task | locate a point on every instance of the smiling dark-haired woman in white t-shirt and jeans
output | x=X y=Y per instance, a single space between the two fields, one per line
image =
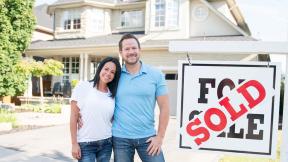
x=95 y=102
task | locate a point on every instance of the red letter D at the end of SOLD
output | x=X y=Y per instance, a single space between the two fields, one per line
x=258 y=86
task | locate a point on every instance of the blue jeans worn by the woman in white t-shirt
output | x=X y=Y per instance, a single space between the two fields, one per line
x=96 y=151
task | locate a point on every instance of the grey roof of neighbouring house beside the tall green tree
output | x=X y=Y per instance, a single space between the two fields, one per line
x=42 y=18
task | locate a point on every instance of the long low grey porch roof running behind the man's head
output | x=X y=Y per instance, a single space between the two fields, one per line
x=112 y=40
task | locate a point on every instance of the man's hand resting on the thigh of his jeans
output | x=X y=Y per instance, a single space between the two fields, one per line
x=154 y=147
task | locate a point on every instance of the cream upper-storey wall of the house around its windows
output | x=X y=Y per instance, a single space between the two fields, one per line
x=187 y=27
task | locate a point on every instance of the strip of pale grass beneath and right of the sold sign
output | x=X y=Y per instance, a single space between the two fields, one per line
x=254 y=159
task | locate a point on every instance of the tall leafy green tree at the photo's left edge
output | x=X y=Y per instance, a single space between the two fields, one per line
x=16 y=26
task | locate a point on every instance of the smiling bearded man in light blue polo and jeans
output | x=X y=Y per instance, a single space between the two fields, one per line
x=139 y=88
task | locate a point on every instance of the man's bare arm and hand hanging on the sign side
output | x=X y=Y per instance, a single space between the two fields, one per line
x=156 y=142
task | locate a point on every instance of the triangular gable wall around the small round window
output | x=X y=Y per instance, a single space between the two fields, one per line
x=213 y=25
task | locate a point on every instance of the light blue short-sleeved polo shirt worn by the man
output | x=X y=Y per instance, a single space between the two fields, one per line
x=135 y=102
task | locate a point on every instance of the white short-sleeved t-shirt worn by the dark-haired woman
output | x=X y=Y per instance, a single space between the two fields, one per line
x=96 y=109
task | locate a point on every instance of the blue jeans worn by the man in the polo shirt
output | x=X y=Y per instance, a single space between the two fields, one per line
x=124 y=150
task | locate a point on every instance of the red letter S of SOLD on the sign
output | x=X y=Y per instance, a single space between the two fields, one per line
x=198 y=131
